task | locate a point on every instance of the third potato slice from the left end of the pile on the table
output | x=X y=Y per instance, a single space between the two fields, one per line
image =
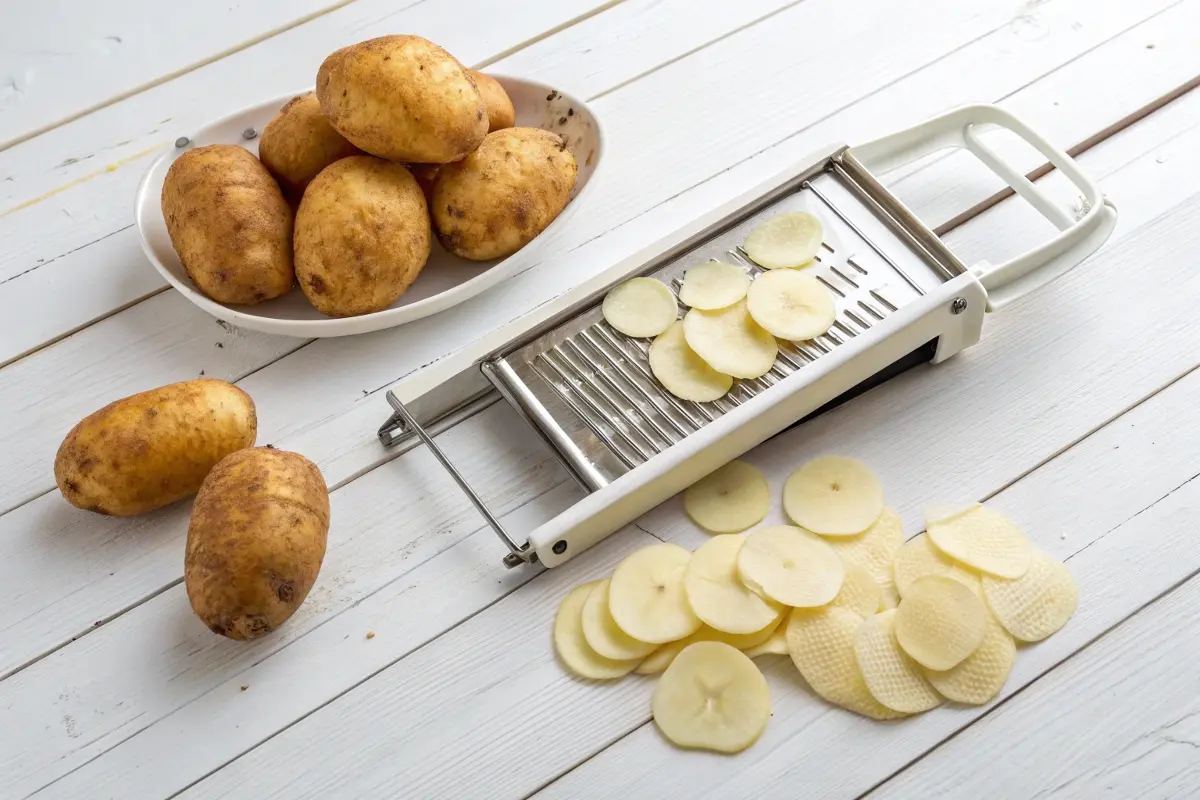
x=647 y=597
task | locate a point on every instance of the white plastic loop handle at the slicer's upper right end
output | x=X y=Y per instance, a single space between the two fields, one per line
x=1077 y=239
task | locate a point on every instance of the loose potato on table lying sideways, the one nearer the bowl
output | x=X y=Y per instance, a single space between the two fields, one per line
x=146 y=452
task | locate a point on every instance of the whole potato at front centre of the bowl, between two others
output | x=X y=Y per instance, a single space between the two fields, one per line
x=363 y=237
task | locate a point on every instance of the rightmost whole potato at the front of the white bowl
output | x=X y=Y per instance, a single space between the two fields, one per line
x=499 y=199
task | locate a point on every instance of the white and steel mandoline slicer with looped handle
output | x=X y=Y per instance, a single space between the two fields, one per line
x=903 y=298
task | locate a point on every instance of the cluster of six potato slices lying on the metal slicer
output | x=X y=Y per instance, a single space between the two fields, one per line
x=734 y=322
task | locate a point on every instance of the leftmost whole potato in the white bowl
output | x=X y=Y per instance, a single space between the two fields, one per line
x=230 y=225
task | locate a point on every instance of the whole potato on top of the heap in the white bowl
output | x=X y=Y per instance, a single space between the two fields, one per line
x=405 y=99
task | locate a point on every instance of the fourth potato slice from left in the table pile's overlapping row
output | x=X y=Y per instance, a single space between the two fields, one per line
x=719 y=597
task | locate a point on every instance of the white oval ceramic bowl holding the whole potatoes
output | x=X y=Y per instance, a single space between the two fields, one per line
x=445 y=282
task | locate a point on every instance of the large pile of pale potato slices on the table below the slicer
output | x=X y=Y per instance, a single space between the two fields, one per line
x=878 y=625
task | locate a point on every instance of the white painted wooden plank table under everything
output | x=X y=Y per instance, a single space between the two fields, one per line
x=1078 y=414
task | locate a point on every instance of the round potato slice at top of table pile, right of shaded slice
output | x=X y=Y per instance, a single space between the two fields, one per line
x=833 y=496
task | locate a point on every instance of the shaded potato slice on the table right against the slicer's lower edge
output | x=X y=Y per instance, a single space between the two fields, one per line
x=729 y=501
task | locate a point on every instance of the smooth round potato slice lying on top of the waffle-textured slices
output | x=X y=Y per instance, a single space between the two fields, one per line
x=940 y=622
